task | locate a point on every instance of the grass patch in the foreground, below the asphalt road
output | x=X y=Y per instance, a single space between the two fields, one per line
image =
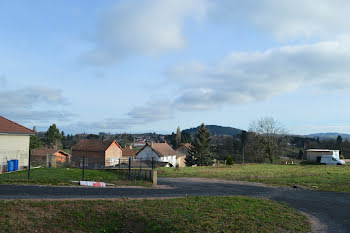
x=189 y=214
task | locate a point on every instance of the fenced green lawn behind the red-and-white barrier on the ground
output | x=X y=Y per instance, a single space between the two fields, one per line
x=64 y=176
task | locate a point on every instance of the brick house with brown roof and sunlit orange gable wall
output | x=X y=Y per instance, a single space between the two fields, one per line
x=96 y=153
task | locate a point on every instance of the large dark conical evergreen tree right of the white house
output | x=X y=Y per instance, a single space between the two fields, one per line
x=201 y=152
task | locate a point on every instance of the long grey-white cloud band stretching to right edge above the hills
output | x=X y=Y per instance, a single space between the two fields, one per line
x=250 y=77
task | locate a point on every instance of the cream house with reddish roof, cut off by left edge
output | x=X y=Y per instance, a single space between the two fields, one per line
x=14 y=143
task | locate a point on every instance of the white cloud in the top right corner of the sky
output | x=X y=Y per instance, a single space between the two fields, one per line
x=285 y=19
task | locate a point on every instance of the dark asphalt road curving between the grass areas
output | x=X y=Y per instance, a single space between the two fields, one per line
x=330 y=208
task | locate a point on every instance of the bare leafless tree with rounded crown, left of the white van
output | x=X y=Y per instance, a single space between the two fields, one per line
x=270 y=134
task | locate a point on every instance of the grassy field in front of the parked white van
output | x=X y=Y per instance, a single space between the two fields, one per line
x=320 y=177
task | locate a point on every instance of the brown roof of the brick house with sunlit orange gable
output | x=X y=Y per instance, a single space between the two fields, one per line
x=94 y=145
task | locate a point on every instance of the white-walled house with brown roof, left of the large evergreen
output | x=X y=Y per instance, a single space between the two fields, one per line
x=160 y=152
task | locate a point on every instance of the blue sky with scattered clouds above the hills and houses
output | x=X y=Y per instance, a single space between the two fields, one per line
x=138 y=66
